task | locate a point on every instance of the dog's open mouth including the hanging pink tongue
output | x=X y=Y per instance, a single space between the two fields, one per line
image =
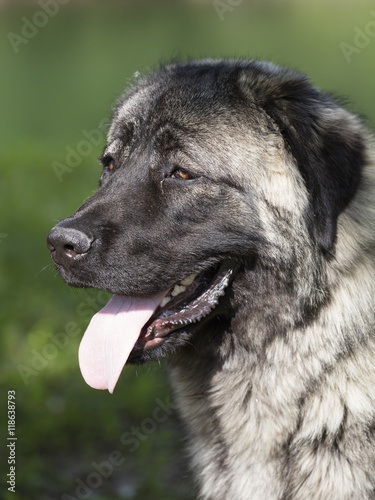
x=129 y=325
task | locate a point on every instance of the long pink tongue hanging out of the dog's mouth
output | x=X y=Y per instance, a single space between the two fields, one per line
x=111 y=336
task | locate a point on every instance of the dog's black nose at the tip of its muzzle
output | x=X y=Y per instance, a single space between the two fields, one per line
x=66 y=244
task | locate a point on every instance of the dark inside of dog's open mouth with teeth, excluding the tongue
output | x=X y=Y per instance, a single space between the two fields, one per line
x=188 y=302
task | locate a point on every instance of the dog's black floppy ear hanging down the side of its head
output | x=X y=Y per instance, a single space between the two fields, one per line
x=325 y=140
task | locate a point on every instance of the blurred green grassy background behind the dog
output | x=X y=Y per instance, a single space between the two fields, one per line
x=61 y=72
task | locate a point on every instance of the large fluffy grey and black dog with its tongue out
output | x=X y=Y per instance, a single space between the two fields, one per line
x=235 y=225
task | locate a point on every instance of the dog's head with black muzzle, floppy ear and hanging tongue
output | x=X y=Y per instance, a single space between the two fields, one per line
x=213 y=171
